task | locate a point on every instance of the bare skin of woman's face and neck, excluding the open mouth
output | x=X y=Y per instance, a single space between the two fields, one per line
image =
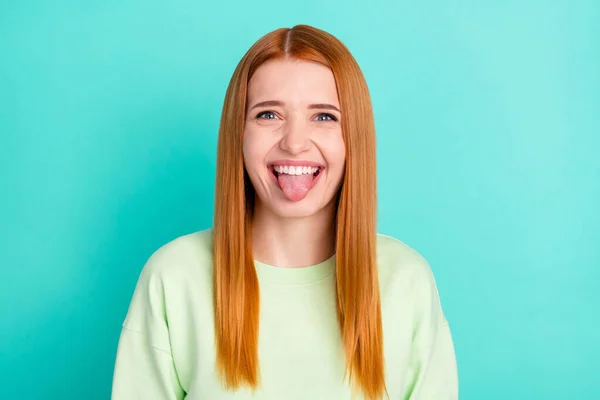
x=301 y=122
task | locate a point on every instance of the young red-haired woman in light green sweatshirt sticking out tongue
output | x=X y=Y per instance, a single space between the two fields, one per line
x=292 y=294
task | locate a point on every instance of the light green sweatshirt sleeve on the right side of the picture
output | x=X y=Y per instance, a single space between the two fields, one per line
x=432 y=370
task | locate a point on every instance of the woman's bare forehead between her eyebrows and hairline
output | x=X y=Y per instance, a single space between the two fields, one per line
x=293 y=81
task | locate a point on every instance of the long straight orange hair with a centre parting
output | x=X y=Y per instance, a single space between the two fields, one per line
x=236 y=289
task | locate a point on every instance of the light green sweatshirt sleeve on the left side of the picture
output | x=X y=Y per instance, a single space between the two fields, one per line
x=144 y=367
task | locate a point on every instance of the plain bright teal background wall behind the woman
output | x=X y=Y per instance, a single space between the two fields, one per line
x=488 y=121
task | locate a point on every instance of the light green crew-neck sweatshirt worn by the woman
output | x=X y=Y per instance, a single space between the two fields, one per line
x=166 y=349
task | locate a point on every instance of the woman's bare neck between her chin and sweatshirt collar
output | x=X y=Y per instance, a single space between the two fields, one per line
x=293 y=242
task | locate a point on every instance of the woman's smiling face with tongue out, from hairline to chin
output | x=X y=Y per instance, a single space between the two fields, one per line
x=293 y=146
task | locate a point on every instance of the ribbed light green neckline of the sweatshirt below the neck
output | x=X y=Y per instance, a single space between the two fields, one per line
x=298 y=275
